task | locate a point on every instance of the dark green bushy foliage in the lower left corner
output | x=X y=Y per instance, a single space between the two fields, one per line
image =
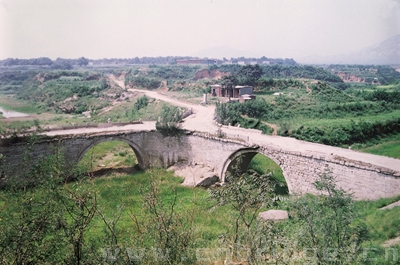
x=44 y=220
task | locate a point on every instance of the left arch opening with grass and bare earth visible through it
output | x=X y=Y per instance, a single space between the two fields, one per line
x=110 y=157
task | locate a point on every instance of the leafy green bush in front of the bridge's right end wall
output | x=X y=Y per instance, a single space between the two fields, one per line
x=327 y=224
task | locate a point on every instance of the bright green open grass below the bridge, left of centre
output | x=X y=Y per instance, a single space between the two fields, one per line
x=114 y=192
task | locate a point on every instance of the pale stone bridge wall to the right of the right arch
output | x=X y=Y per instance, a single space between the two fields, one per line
x=363 y=181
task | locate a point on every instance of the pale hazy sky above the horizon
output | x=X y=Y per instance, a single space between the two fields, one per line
x=128 y=28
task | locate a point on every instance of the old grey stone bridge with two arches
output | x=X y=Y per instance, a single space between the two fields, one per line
x=300 y=169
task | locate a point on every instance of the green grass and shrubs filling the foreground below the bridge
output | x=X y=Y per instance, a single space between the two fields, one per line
x=63 y=223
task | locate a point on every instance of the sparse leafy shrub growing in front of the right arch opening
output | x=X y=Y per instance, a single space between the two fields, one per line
x=245 y=194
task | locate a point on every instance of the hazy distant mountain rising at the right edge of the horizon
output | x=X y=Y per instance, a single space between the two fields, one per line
x=384 y=53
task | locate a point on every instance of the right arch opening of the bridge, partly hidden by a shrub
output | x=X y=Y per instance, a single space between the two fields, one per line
x=244 y=160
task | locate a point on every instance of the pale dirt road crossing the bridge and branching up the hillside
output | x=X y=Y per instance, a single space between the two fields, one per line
x=203 y=120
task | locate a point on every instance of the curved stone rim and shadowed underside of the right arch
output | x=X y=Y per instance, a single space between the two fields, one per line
x=244 y=156
